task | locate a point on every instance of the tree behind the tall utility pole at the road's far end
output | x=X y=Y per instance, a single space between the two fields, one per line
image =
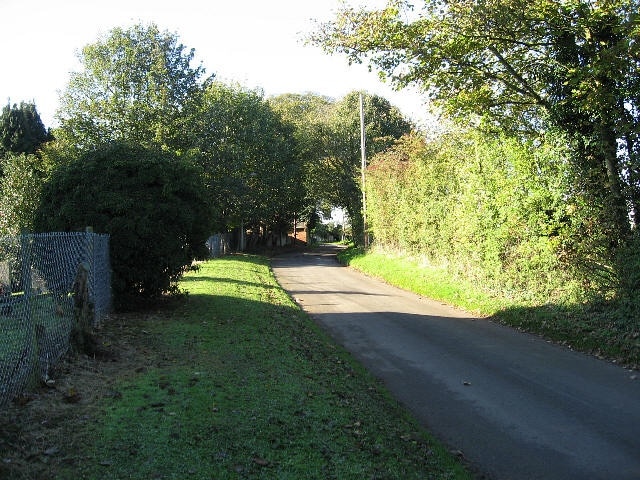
x=328 y=134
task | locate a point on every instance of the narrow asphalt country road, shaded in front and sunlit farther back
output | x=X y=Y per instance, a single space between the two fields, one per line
x=516 y=406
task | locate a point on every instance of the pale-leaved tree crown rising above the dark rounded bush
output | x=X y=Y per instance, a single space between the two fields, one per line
x=135 y=86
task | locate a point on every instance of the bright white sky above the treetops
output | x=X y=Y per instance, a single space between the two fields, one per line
x=257 y=43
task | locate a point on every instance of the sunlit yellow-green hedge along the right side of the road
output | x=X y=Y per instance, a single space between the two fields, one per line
x=497 y=211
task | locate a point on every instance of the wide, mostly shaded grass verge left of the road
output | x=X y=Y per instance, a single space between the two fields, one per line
x=240 y=383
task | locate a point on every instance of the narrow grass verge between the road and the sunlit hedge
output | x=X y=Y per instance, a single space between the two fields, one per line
x=607 y=329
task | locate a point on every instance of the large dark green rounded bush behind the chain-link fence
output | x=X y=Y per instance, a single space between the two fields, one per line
x=153 y=204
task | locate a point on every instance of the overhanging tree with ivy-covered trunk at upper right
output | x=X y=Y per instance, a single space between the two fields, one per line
x=524 y=65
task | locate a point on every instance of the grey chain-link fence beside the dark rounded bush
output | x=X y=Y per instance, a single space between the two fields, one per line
x=42 y=277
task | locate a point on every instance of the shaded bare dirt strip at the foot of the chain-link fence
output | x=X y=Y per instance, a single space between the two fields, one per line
x=47 y=427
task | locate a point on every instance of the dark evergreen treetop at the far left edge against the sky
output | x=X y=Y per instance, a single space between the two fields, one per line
x=21 y=129
